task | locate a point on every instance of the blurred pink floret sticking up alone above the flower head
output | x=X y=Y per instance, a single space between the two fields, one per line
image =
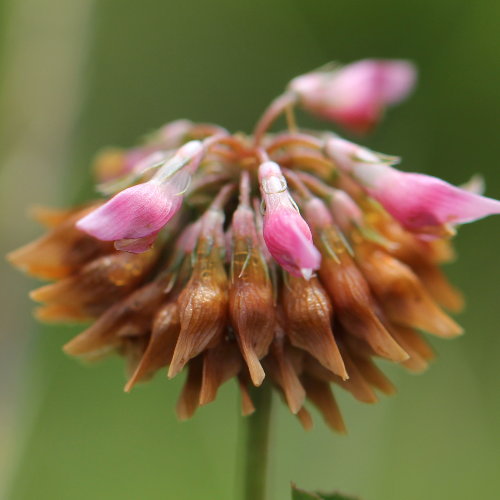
x=356 y=95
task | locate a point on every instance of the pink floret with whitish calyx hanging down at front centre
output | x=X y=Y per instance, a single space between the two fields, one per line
x=286 y=233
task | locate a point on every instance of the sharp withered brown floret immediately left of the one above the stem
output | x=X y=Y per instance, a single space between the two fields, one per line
x=202 y=307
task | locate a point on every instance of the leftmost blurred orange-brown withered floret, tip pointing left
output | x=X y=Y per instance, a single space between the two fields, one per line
x=62 y=251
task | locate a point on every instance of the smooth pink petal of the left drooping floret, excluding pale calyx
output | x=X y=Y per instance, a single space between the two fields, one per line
x=136 y=212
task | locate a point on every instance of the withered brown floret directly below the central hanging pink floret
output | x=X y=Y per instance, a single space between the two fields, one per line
x=308 y=313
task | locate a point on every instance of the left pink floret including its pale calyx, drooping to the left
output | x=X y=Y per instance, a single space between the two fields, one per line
x=138 y=213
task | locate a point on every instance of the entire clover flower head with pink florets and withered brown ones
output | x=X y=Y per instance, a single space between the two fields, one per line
x=294 y=259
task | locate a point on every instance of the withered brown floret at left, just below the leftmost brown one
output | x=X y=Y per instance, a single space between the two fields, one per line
x=96 y=287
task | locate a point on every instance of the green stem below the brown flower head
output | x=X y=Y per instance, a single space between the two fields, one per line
x=257 y=445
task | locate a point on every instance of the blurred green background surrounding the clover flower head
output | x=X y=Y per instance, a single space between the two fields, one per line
x=77 y=75
